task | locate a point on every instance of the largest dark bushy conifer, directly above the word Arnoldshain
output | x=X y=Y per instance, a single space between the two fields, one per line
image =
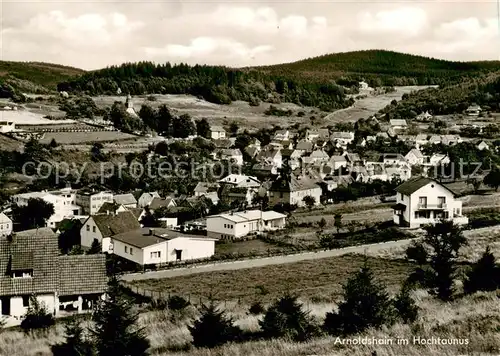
x=366 y=304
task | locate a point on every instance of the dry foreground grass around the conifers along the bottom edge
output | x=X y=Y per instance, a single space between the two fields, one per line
x=476 y=318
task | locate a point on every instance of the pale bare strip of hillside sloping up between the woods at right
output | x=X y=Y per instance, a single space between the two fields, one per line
x=366 y=107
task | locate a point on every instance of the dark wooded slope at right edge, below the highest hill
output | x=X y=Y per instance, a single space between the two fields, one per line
x=483 y=90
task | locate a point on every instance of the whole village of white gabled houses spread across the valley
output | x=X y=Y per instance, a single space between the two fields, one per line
x=300 y=172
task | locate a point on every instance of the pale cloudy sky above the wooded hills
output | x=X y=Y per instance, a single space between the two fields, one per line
x=95 y=34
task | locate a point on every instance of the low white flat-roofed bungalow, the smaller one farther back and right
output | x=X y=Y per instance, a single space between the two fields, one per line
x=236 y=225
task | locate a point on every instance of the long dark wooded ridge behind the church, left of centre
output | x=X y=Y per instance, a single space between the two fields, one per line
x=215 y=84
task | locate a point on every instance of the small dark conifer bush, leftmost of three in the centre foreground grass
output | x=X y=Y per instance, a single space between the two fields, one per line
x=213 y=328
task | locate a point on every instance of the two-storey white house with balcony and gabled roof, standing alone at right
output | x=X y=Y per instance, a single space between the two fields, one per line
x=422 y=201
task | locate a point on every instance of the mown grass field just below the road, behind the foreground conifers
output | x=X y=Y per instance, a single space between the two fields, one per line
x=315 y=279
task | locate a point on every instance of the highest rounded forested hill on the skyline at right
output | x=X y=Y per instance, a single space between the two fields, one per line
x=380 y=67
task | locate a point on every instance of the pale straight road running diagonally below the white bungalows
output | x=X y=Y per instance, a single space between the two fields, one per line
x=261 y=262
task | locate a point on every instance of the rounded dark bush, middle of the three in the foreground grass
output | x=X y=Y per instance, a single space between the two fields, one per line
x=286 y=318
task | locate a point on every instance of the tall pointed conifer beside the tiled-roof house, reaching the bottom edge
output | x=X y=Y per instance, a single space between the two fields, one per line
x=116 y=331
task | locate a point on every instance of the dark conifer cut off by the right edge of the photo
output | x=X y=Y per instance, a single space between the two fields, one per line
x=484 y=275
